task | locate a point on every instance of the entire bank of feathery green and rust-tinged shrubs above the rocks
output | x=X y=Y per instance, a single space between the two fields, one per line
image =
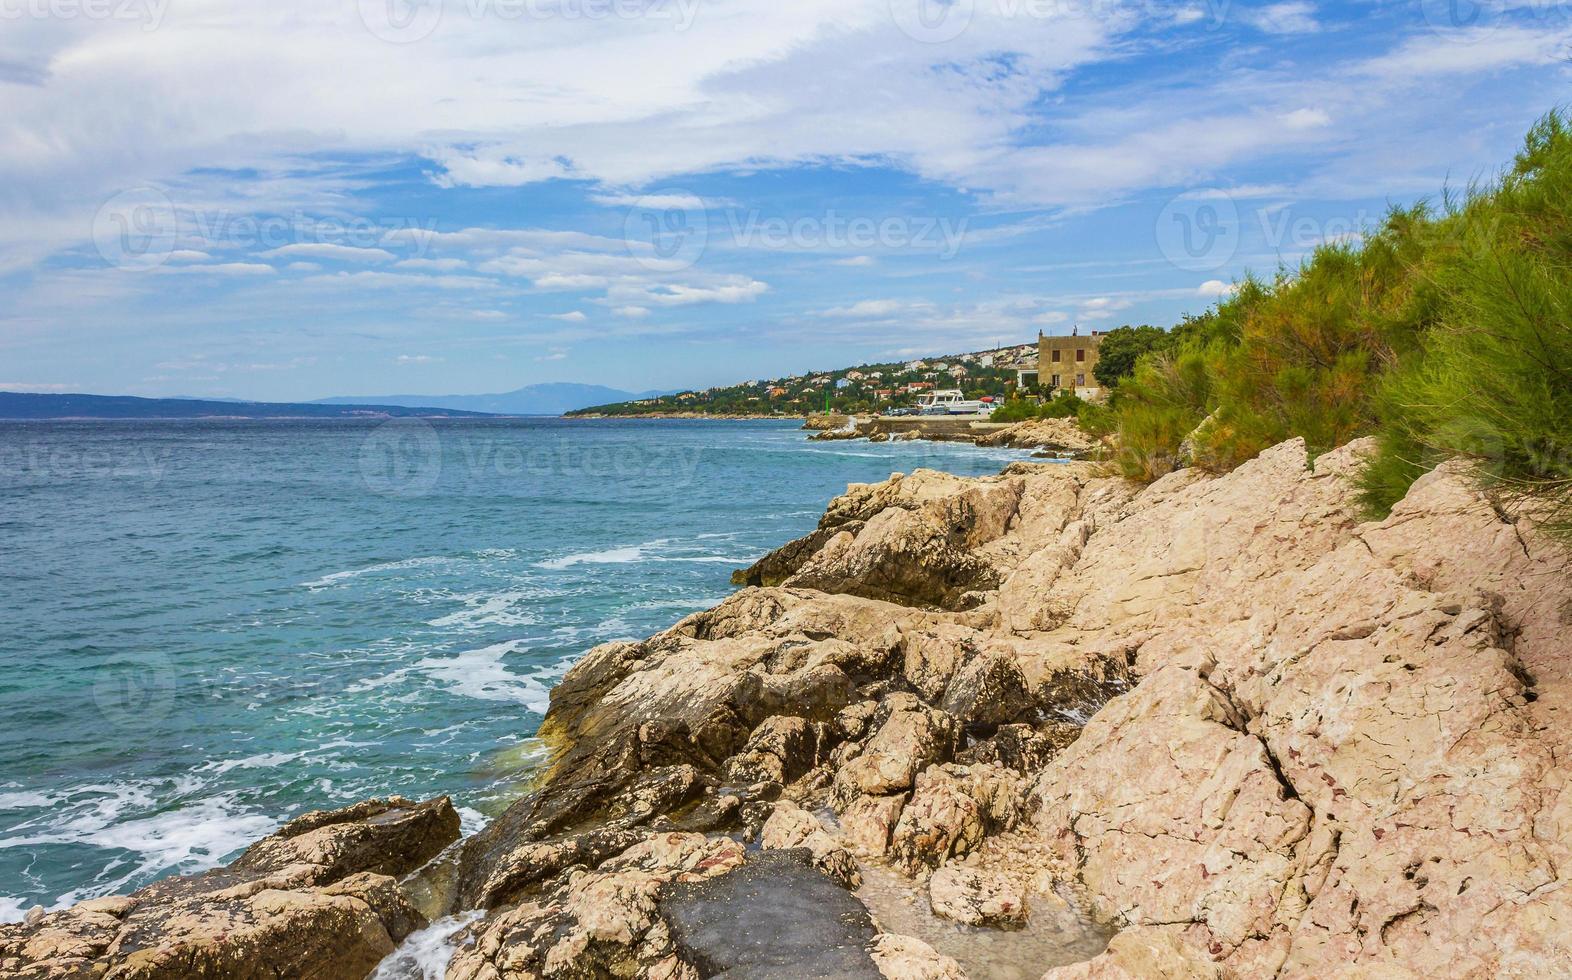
x=1445 y=333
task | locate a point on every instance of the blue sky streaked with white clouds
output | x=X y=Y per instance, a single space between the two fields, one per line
x=304 y=199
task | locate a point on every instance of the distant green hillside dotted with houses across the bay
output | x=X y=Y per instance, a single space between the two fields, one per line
x=869 y=388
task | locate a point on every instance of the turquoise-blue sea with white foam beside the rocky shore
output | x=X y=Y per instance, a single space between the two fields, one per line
x=211 y=627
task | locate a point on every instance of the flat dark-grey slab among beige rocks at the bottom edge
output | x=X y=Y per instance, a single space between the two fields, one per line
x=777 y=918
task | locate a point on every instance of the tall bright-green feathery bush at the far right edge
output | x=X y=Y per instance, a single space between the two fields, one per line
x=1493 y=381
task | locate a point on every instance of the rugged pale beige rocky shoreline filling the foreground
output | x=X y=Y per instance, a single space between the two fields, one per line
x=1216 y=718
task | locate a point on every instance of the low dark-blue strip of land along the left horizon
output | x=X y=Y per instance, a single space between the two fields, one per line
x=18 y=405
